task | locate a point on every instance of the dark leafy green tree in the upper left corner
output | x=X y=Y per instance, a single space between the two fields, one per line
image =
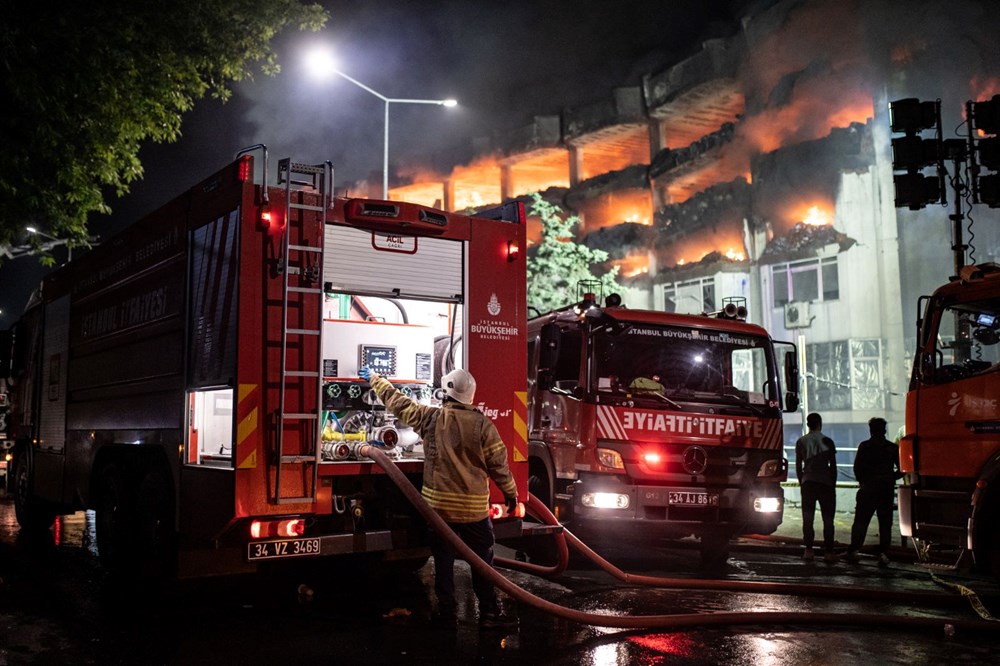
x=86 y=83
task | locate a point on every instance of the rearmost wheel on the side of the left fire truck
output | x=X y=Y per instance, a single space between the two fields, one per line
x=155 y=538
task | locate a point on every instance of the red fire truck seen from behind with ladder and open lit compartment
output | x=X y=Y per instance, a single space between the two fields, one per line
x=194 y=379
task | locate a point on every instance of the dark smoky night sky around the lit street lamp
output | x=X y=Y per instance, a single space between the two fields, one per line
x=503 y=62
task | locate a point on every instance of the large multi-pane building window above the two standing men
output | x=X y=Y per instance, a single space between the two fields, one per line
x=845 y=375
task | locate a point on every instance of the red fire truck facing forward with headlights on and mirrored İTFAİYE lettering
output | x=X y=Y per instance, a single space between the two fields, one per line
x=645 y=424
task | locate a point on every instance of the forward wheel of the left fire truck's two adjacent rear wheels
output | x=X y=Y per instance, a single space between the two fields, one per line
x=115 y=509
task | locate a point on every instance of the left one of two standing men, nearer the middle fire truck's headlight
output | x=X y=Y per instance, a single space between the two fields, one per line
x=816 y=464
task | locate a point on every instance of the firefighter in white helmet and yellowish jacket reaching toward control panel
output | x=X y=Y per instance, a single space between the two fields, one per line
x=462 y=452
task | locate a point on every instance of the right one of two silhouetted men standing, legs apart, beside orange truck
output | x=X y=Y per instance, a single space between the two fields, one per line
x=876 y=468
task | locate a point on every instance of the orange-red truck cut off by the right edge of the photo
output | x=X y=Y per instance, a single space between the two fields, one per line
x=951 y=448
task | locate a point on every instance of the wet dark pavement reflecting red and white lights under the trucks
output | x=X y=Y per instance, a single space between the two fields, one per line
x=57 y=606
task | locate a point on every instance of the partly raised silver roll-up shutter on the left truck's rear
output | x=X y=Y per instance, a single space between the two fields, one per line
x=427 y=268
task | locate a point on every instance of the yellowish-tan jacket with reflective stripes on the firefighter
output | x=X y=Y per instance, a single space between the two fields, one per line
x=462 y=452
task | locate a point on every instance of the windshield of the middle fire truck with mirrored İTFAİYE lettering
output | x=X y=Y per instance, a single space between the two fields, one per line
x=673 y=365
